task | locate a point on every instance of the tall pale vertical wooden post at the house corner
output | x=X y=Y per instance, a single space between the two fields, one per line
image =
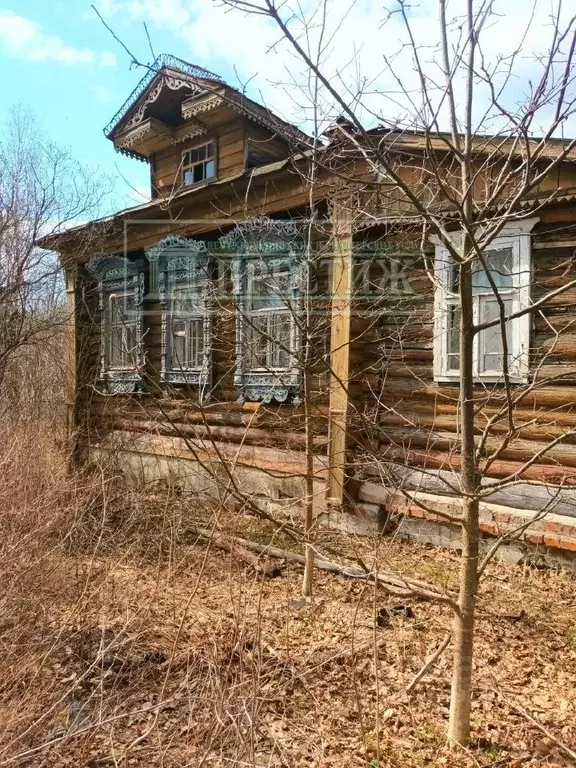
x=339 y=352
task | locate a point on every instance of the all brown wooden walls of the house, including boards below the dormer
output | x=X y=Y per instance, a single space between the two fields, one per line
x=398 y=417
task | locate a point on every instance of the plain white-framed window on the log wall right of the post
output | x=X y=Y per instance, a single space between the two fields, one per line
x=504 y=277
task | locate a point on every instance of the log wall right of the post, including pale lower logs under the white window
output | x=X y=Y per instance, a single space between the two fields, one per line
x=408 y=422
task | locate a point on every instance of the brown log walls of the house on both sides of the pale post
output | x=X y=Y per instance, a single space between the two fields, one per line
x=399 y=417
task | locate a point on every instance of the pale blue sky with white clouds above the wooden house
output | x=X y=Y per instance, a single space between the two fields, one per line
x=58 y=59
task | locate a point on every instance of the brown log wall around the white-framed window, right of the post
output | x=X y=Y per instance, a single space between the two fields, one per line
x=413 y=420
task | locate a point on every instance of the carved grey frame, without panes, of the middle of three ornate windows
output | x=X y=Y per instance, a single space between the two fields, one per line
x=175 y=264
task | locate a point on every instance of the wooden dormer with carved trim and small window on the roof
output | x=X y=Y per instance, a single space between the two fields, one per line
x=195 y=129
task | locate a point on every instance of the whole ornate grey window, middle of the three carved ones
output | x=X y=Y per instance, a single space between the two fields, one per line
x=183 y=275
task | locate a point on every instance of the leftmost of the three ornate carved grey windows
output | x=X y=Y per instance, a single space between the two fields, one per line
x=121 y=297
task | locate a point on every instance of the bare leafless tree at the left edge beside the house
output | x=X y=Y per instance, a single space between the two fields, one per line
x=43 y=190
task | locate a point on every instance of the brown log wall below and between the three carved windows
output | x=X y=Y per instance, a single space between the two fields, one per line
x=165 y=430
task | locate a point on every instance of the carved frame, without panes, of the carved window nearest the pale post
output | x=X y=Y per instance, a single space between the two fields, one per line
x=270 y=244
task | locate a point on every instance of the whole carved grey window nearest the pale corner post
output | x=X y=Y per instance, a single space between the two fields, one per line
x=267 y=275
